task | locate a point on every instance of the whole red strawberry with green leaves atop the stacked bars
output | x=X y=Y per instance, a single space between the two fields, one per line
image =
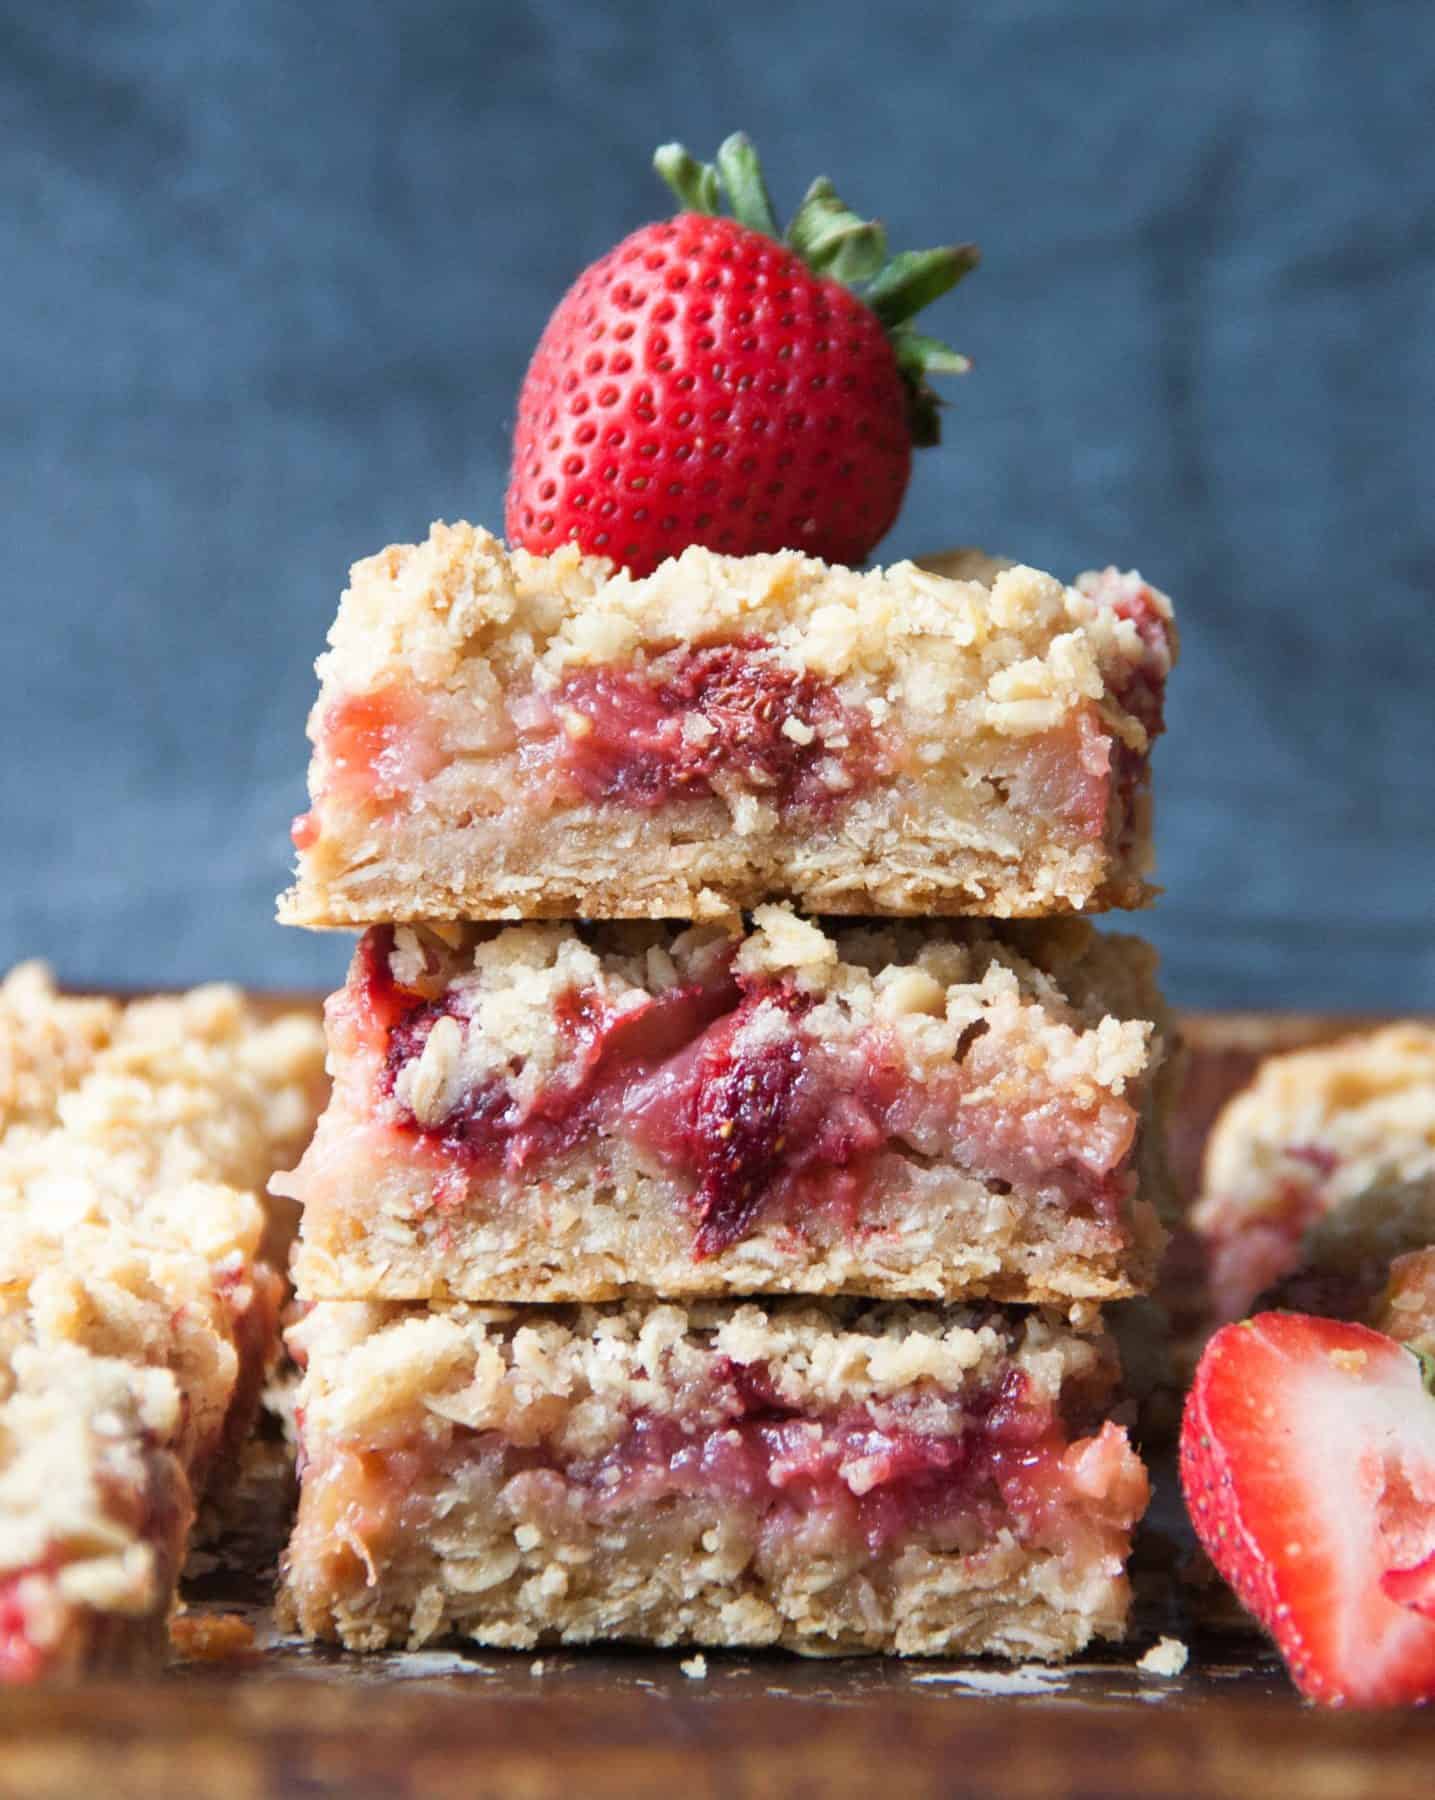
x=710 y=382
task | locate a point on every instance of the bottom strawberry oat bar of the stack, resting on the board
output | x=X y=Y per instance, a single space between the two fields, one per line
x=838 y=1477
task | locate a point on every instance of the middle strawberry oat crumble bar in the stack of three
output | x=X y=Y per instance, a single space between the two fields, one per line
x=903 y=1110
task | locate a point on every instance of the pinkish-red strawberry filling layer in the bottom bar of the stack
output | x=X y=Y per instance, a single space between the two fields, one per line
x=923 y=1468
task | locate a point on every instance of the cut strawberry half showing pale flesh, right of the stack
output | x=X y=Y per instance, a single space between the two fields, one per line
x=1308 y=1462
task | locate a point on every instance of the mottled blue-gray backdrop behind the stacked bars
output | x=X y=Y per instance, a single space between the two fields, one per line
x=271 y=274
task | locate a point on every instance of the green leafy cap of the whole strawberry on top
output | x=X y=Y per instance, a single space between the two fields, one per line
x=845 y=247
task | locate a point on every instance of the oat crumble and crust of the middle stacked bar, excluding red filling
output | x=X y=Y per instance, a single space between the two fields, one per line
x=1049 y=1023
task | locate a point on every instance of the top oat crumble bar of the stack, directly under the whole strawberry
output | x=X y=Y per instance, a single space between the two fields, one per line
x=503 y=735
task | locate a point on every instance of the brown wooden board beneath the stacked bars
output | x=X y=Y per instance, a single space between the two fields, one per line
x=298 y=1722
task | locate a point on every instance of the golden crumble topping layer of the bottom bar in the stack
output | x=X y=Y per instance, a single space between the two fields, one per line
x=375 y=1369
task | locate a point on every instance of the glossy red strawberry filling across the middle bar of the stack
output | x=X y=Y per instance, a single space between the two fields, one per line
x=750 y=1110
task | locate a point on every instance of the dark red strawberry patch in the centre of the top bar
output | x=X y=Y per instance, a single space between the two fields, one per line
x=707 y=721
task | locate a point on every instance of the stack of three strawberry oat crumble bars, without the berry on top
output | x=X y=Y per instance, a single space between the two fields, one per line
x=736 y=1129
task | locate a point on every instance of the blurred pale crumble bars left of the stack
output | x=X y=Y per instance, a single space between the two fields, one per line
x=138 y=1309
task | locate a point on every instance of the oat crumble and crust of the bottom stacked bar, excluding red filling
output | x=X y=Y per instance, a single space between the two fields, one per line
x=410 y=1529
